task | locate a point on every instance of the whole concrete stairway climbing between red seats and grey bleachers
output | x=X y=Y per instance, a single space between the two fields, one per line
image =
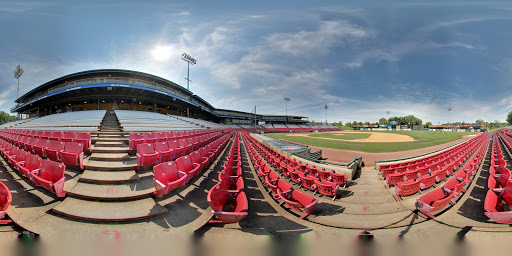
x=110 y=189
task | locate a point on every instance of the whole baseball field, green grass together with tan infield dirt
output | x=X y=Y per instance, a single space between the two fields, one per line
x=373 y=141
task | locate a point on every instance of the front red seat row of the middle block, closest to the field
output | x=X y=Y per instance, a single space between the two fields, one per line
x=322 y=181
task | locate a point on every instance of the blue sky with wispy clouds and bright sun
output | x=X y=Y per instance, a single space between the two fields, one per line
x=362 y=59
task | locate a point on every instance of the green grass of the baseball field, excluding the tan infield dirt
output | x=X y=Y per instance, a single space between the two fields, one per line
x=423 y=139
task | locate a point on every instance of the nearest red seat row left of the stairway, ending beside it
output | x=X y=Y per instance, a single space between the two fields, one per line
x=44 y=173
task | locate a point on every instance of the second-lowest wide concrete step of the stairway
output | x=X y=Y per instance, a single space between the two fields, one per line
x=114 y=192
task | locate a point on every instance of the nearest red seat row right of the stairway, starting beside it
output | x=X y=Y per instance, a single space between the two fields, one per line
x=171 y=175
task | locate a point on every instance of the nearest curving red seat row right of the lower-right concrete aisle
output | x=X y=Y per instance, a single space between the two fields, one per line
x=439 y=198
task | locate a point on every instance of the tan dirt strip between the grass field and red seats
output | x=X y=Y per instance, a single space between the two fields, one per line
x=345 y=156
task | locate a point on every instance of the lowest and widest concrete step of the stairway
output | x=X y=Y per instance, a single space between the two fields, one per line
x=109 y=211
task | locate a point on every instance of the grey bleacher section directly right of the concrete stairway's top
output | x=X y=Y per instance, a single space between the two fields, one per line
x=132 y=121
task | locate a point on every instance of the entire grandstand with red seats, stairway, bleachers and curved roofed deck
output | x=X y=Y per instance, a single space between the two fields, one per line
x=127 y=169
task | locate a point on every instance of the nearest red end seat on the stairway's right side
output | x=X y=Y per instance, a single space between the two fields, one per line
x=168 y=178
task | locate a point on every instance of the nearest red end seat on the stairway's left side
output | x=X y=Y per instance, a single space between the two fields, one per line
x=51 y=177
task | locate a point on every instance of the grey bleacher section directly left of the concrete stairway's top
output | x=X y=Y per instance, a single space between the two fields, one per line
x=69 y=121
